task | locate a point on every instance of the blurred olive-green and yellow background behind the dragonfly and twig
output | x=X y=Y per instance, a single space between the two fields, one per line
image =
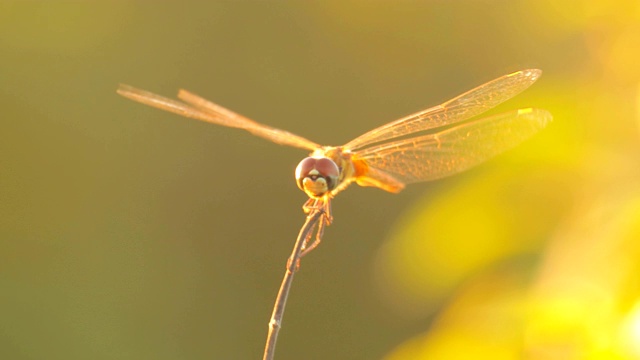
x=131 y=233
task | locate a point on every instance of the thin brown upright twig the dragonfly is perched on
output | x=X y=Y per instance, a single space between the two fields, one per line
x=292 y=266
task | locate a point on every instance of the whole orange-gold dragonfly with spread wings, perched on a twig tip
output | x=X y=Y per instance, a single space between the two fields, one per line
x=430 y=144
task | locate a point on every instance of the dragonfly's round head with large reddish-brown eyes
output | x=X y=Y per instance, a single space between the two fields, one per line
x=317 y=176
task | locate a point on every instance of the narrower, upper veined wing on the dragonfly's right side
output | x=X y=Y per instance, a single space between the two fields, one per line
x=460 y=108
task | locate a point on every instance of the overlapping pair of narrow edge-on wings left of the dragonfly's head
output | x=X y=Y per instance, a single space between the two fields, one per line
x=204 y=110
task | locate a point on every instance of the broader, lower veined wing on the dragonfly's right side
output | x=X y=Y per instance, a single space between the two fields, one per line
x=456 y=149
